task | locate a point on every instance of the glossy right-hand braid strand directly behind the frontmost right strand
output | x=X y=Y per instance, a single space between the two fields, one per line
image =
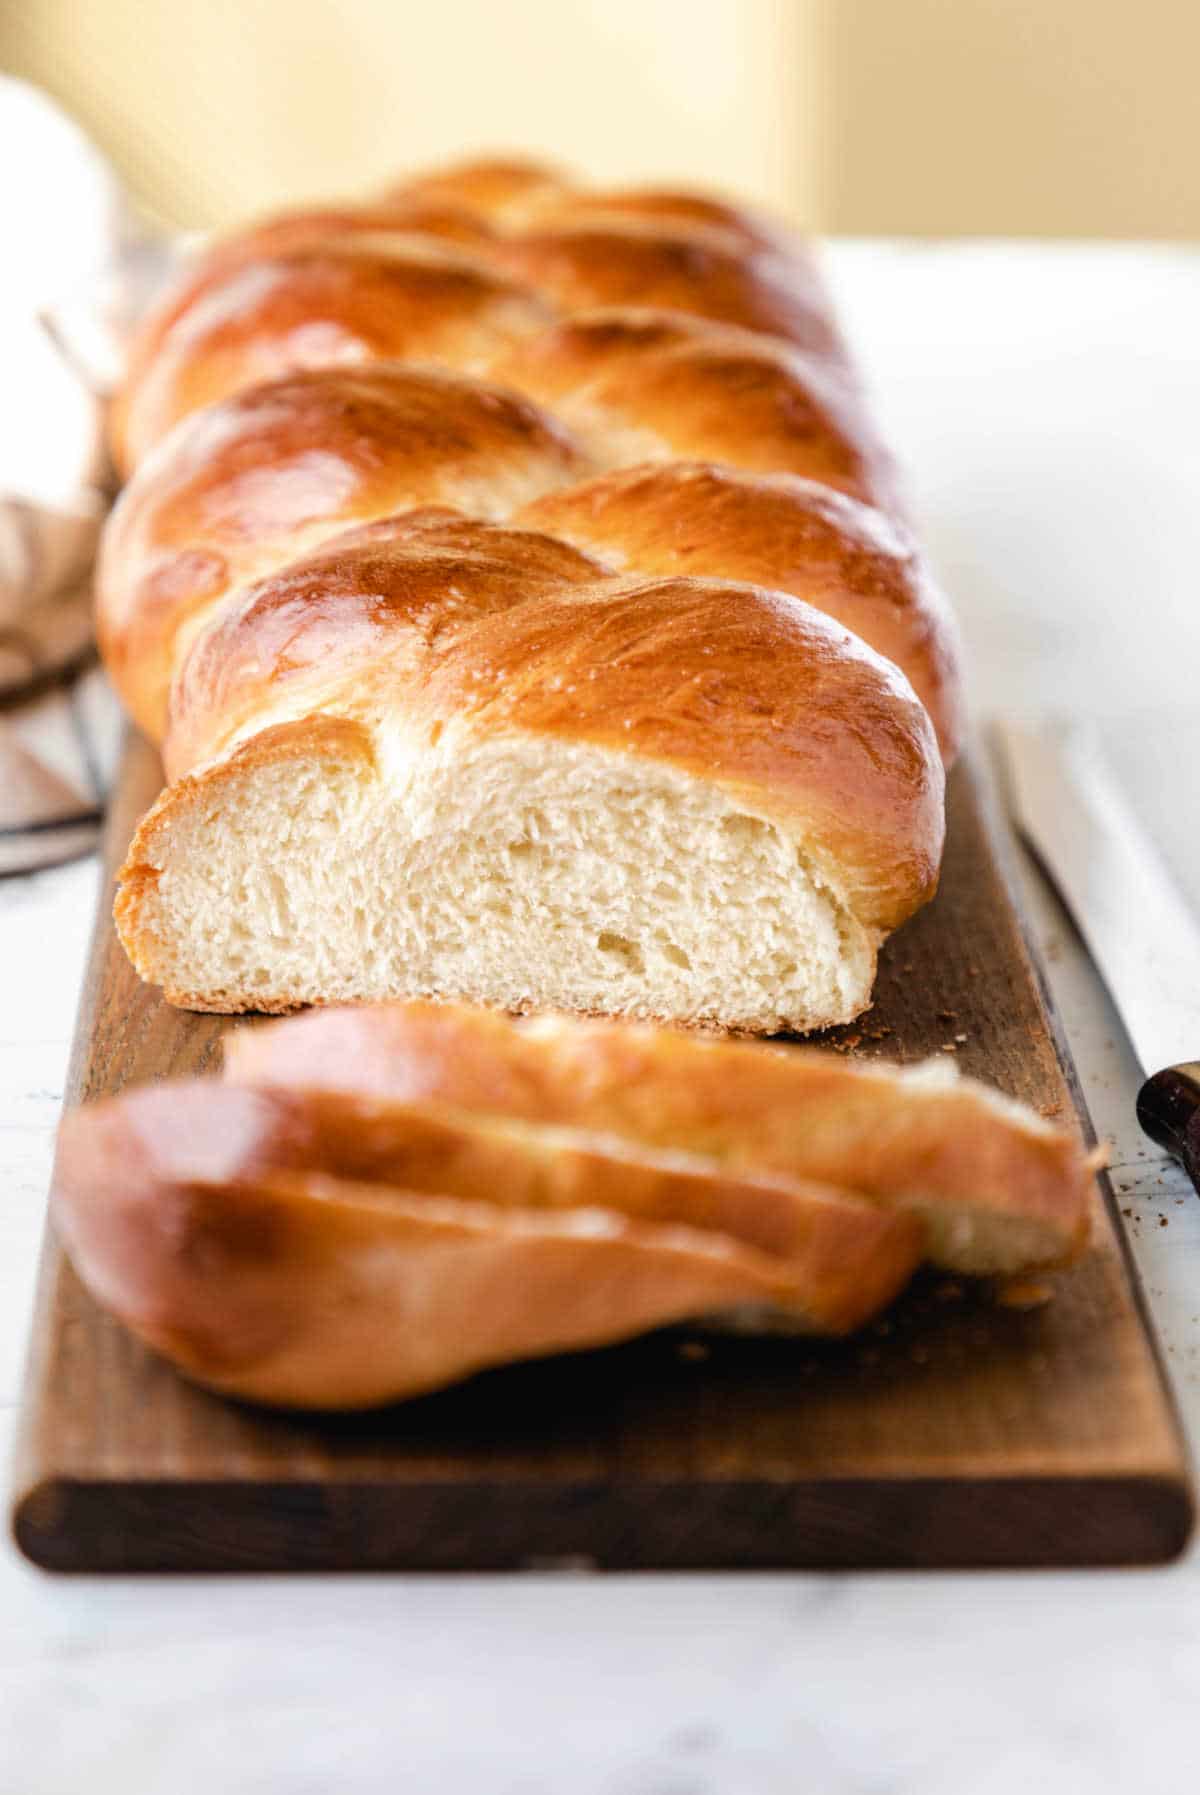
x=781 y=532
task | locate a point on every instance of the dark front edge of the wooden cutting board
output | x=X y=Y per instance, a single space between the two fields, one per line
x=907 y=1523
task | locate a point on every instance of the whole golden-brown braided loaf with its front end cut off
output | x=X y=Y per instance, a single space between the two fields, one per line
x=526 y=611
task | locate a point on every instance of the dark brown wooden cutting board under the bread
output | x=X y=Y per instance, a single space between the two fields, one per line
x=957 y=1432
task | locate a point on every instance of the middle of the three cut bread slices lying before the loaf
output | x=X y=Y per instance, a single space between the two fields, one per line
x=844 y=1257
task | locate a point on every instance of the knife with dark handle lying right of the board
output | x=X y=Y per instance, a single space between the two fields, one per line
x=1138 y=925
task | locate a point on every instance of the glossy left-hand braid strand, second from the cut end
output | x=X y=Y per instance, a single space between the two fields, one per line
x=254 y=480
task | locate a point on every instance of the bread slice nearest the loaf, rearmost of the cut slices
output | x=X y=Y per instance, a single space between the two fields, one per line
x=996 y=1187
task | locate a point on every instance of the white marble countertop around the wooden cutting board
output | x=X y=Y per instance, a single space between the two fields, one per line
x=1045 y=401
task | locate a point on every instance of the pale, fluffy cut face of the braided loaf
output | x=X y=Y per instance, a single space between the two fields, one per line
x=327 y=864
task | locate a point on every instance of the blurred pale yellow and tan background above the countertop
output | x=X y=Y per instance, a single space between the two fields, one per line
x=1063 y=118
